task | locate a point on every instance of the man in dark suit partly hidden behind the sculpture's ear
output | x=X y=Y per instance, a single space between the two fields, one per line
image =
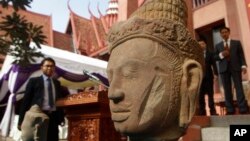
x=207 y=81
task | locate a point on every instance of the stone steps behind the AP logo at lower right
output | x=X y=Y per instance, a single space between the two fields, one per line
x=213 y=128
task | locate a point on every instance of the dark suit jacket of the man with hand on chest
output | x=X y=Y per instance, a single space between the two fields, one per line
x=237 y=58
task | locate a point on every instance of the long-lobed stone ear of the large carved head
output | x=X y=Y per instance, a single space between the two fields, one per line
x=190 y=85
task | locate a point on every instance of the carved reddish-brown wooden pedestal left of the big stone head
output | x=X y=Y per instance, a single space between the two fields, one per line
x=88 y=117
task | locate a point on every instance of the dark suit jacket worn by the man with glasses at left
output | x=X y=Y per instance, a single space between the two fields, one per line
x=34 y=94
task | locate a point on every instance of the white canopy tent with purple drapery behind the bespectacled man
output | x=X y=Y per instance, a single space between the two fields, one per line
x=69 y=64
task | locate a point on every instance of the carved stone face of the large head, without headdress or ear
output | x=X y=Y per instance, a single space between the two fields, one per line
x=141 y=99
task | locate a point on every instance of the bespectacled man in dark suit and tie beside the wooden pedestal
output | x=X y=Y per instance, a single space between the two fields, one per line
x=44 y=91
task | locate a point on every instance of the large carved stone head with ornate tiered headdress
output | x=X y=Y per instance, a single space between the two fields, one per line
x=155 y=70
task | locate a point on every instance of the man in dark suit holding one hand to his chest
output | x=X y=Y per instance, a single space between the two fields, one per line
x=229 y=53
